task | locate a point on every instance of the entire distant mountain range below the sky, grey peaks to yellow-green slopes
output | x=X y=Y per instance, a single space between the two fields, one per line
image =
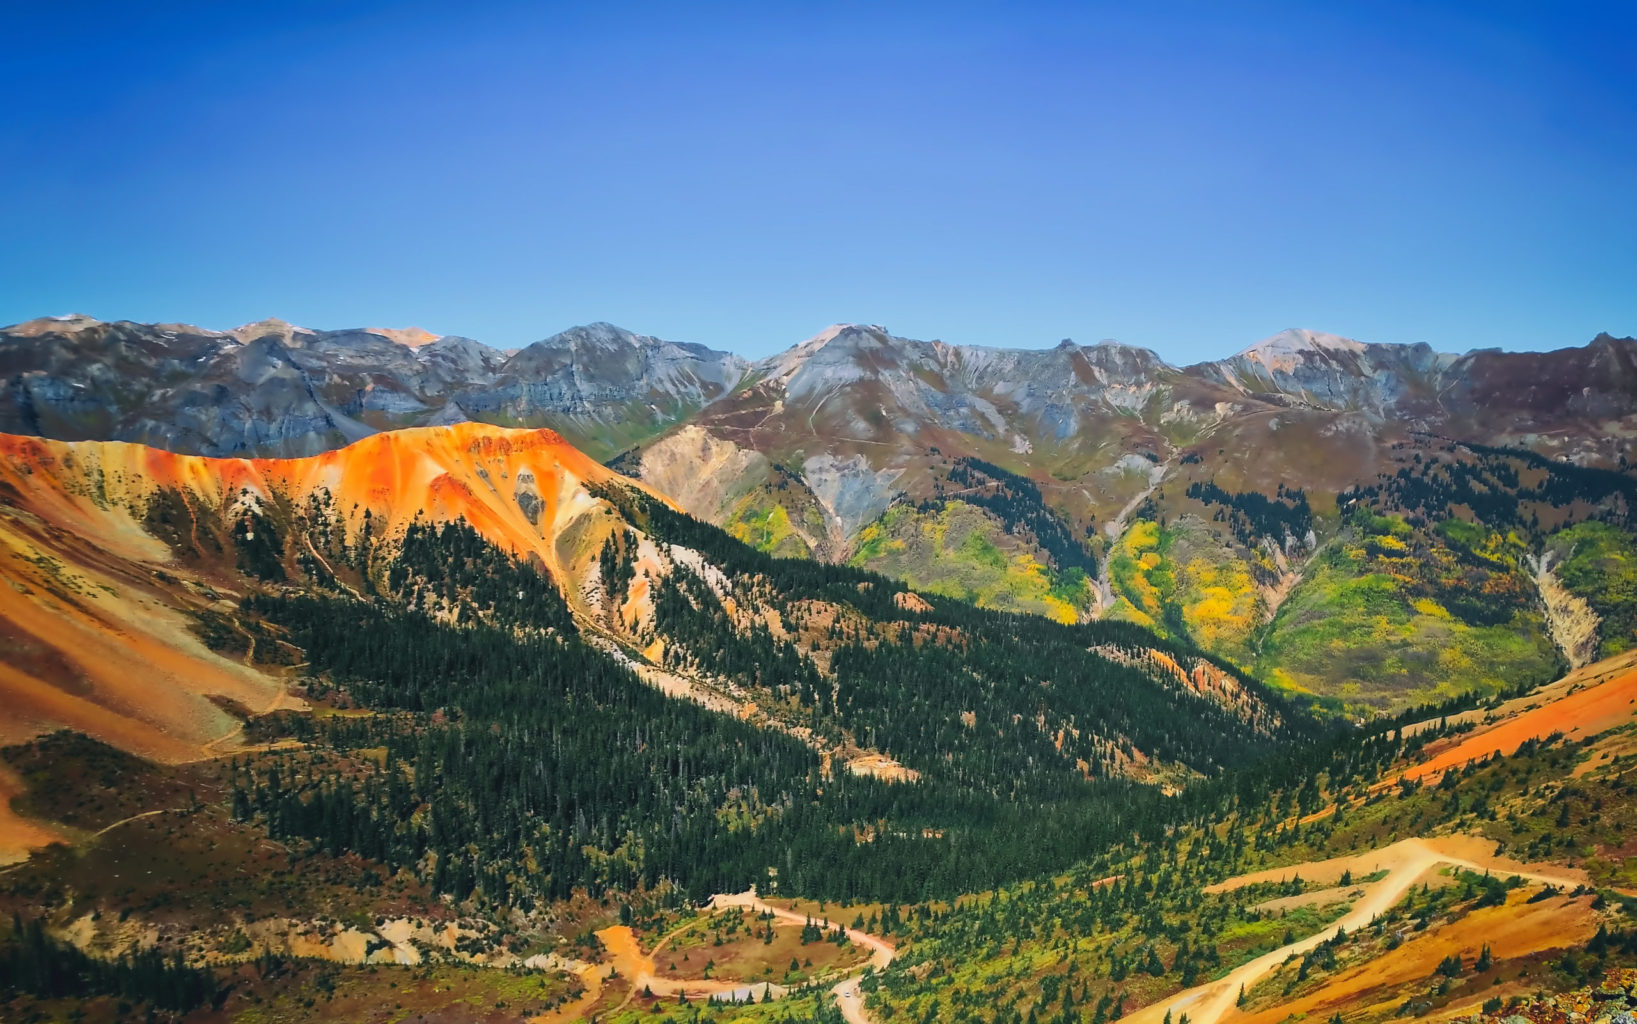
x=1450 y=521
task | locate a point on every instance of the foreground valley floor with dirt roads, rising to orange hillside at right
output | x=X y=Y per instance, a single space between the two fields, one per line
x=1474 y=873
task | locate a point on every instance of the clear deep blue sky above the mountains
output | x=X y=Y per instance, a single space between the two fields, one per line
x=1189 y=177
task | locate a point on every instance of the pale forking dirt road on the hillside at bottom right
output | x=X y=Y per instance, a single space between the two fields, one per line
x=1405 y=863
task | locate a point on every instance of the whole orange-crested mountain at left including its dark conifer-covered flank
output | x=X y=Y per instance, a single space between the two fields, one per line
x=503 y=653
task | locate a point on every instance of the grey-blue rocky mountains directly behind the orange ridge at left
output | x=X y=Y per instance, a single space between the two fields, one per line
x=273 y=388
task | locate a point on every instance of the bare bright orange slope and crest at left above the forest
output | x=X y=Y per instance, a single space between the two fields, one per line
x=97 y=616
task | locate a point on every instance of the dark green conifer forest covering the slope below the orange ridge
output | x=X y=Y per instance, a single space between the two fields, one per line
x=518 y=761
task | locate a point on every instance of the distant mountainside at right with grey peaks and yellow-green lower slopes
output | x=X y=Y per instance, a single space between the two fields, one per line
x=885 y=441
